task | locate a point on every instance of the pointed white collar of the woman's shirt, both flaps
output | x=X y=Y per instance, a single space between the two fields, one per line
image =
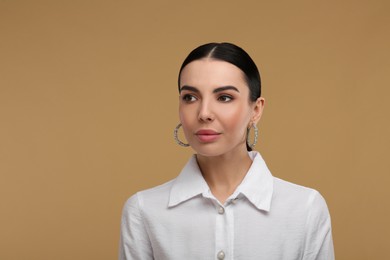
x=257 y=185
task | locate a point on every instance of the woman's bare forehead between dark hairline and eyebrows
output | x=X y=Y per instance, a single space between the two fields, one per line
x=212 y=73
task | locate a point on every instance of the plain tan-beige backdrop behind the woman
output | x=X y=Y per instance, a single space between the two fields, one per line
x=88 y=103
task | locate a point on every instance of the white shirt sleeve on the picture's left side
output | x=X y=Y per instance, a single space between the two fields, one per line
x=134 y=241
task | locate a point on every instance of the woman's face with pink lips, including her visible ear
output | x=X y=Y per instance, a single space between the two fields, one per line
x=214 y=107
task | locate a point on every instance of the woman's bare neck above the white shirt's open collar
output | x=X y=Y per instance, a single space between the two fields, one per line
x=225 y=172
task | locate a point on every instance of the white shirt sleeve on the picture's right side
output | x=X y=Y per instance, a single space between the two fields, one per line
x=318 y=242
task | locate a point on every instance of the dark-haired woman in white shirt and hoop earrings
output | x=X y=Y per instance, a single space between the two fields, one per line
x=225 y=204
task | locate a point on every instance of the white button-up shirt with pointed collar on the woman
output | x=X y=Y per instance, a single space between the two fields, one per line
x=265 y=218
